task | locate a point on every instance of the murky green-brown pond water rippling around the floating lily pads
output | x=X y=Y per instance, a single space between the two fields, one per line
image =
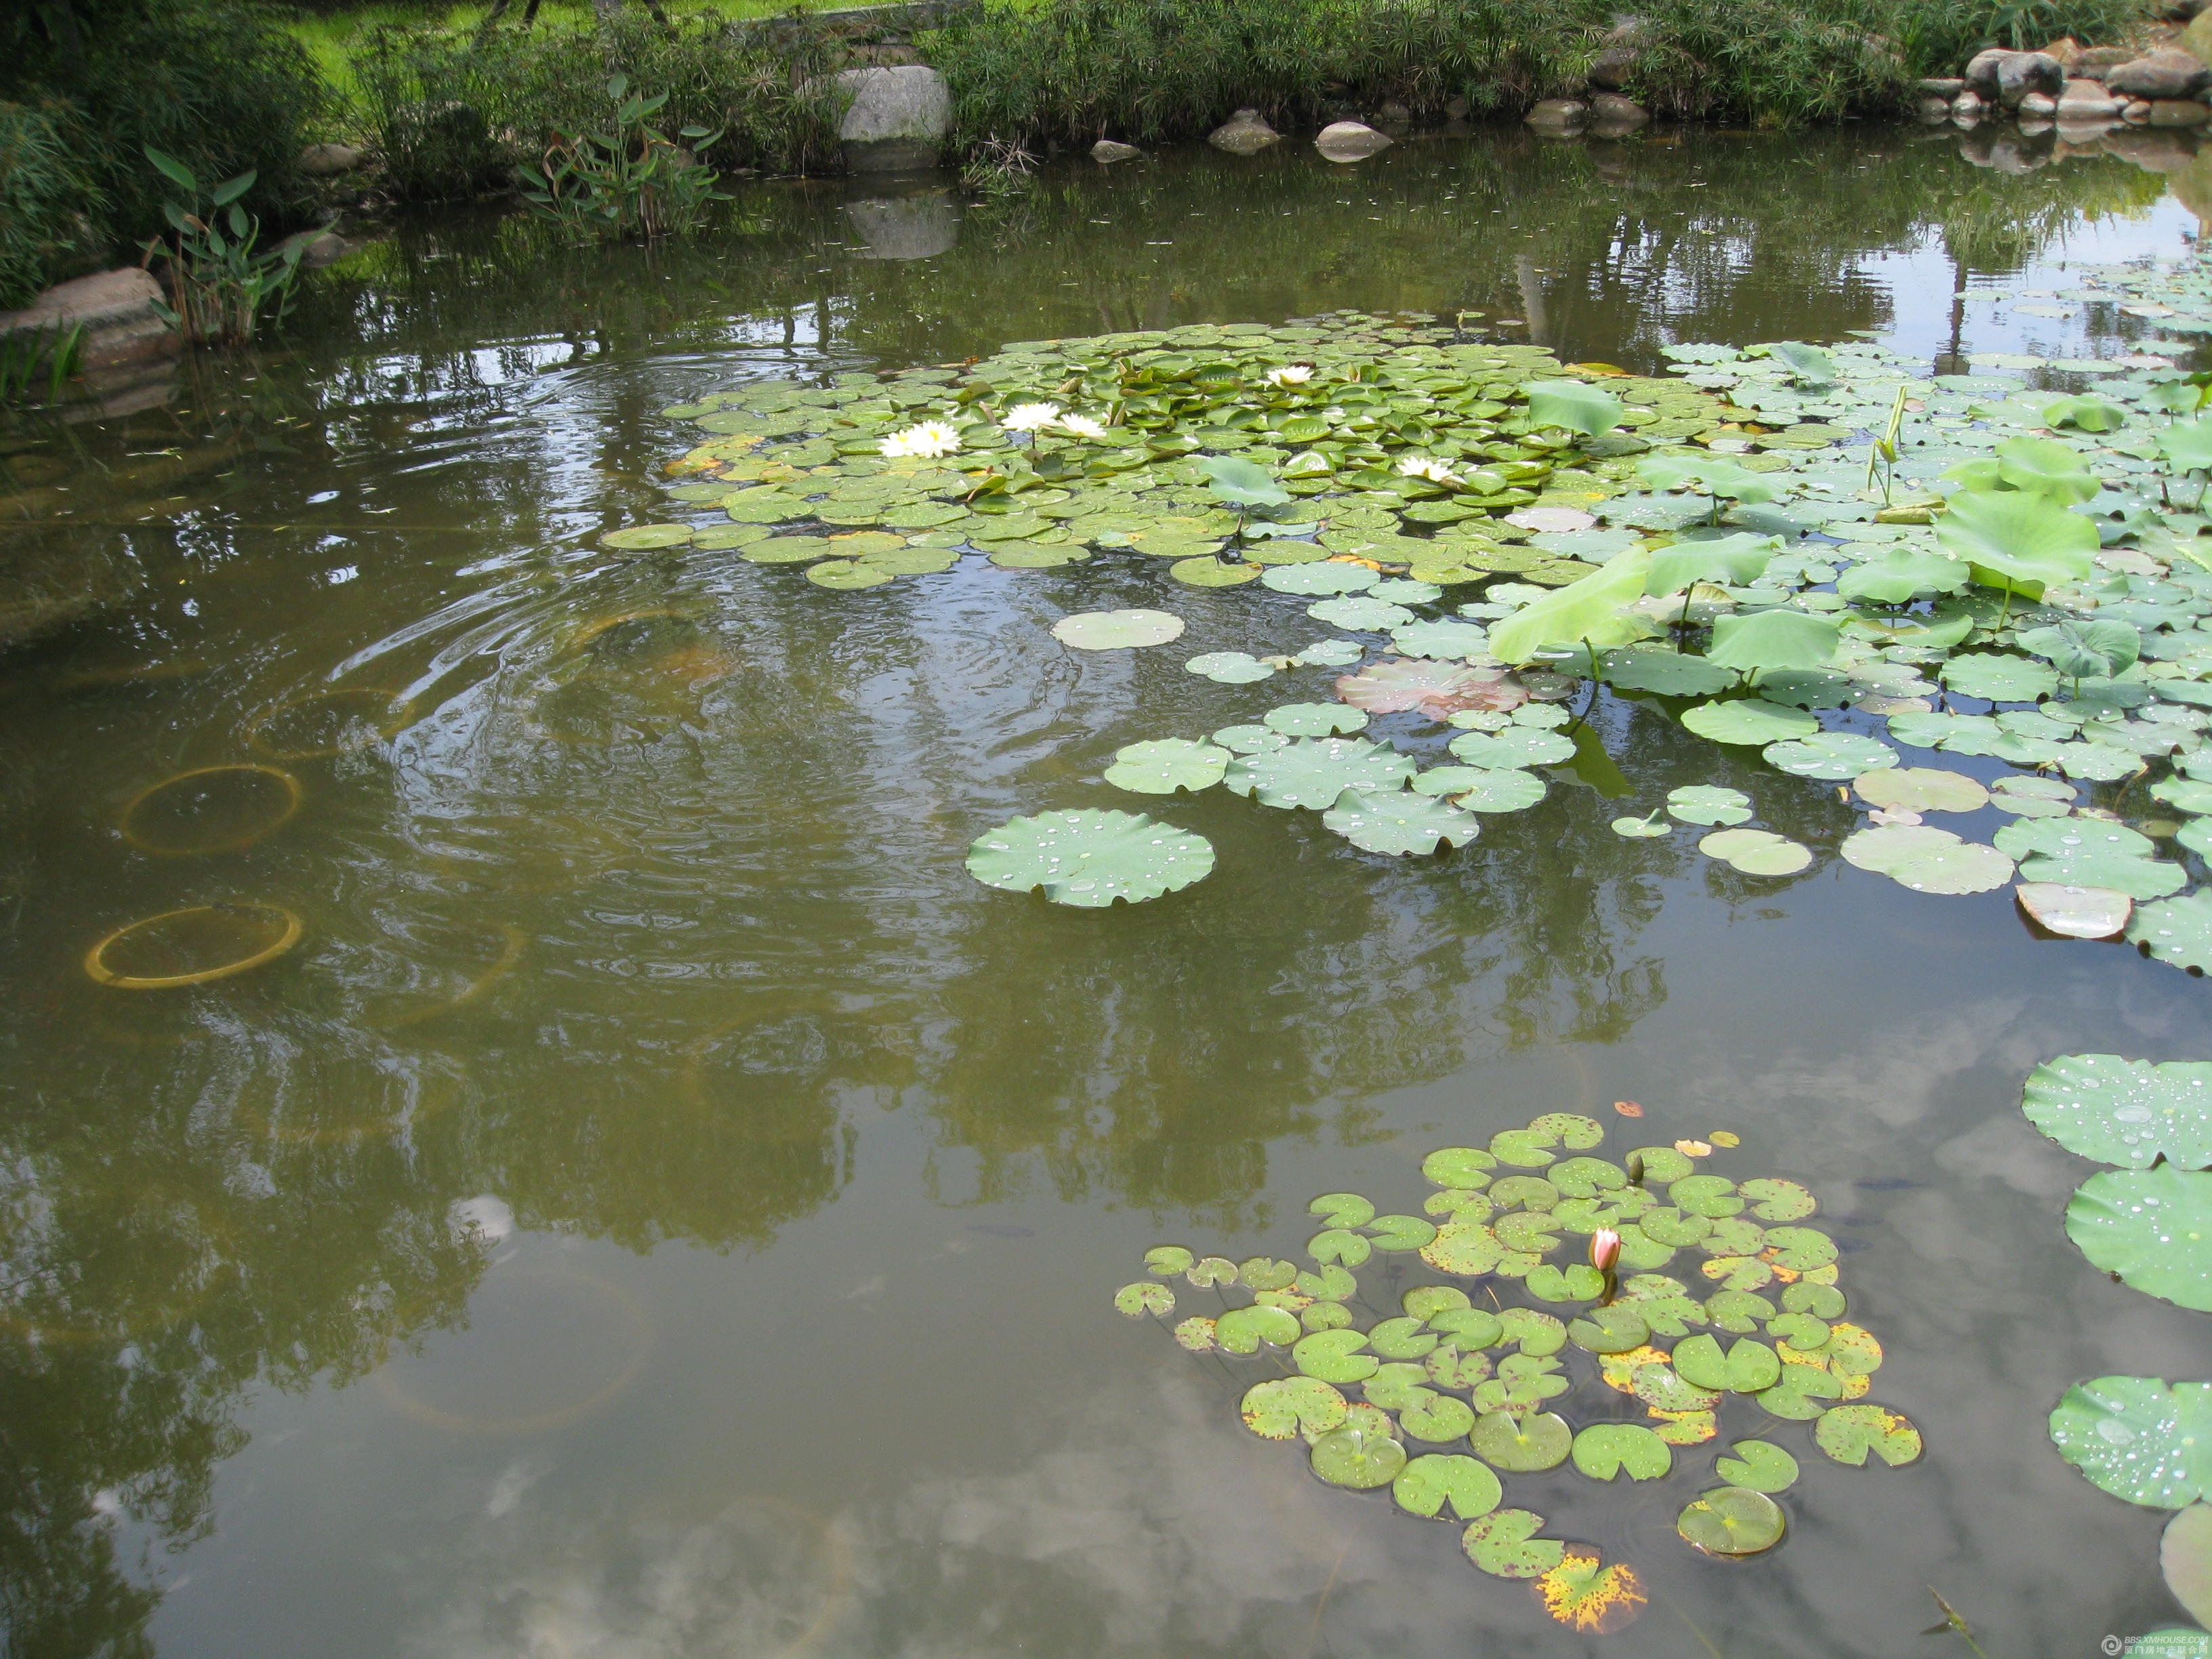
x=665 y=1207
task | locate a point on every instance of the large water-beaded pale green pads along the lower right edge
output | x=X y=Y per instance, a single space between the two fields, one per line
x=2147 y=1222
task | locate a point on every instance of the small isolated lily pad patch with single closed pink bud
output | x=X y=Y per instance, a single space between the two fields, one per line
x=1550 y=1308
